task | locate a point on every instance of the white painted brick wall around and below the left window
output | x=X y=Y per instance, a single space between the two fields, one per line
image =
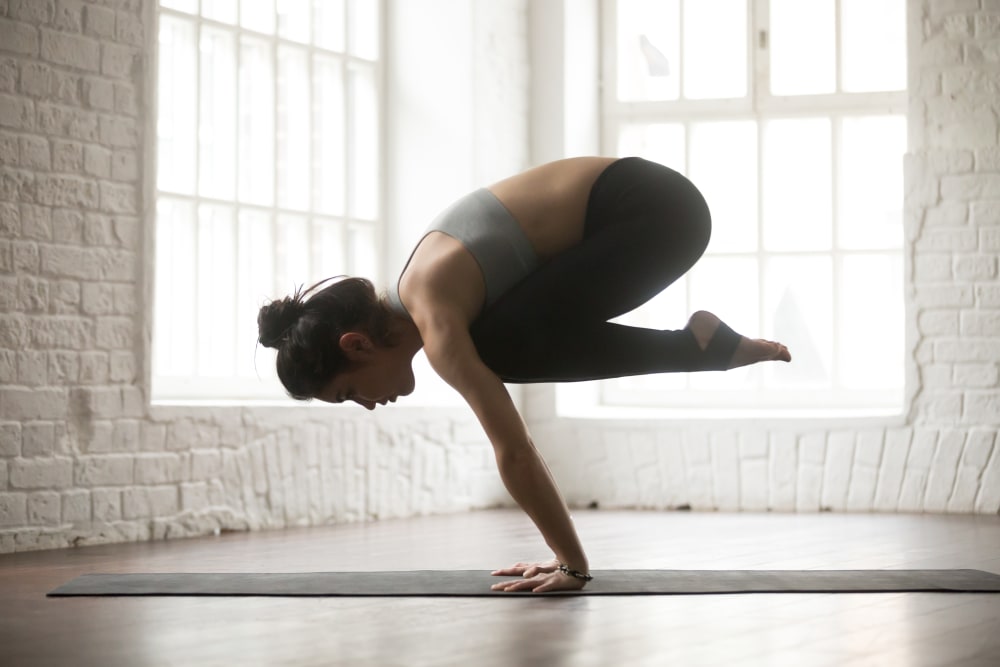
x=83 y=457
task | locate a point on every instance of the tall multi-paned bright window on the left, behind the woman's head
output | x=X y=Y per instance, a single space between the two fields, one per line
x=268 y=140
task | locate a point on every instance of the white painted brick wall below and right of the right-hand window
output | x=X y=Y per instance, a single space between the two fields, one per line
x=943 y=457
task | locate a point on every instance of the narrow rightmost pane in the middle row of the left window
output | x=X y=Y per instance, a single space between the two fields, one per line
x=364 y=151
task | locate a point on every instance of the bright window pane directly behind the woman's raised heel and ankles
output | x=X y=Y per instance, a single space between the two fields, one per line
x=727 y=286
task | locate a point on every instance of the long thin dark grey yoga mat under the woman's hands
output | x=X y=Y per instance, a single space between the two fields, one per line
x=476 y=583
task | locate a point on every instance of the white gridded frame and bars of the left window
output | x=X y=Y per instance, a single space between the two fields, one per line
x=262 y=385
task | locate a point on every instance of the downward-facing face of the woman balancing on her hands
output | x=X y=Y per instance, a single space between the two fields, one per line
x=379 y=377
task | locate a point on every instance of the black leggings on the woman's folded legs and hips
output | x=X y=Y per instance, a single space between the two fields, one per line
x=646 y=225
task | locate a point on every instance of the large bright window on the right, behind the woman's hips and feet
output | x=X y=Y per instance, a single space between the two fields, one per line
x=789 y=116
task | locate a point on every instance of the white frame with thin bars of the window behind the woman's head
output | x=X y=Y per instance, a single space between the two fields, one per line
x=360 y=236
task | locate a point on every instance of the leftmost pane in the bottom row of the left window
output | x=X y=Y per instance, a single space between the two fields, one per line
x=174 y=320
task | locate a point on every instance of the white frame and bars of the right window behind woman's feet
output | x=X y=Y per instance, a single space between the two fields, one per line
x=758 y=105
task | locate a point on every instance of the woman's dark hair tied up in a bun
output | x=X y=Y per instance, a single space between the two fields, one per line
x=306 y=331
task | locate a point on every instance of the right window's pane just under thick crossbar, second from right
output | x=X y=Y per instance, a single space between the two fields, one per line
x=797 y=184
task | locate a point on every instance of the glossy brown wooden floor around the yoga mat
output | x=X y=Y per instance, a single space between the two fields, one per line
x=851 y=630
